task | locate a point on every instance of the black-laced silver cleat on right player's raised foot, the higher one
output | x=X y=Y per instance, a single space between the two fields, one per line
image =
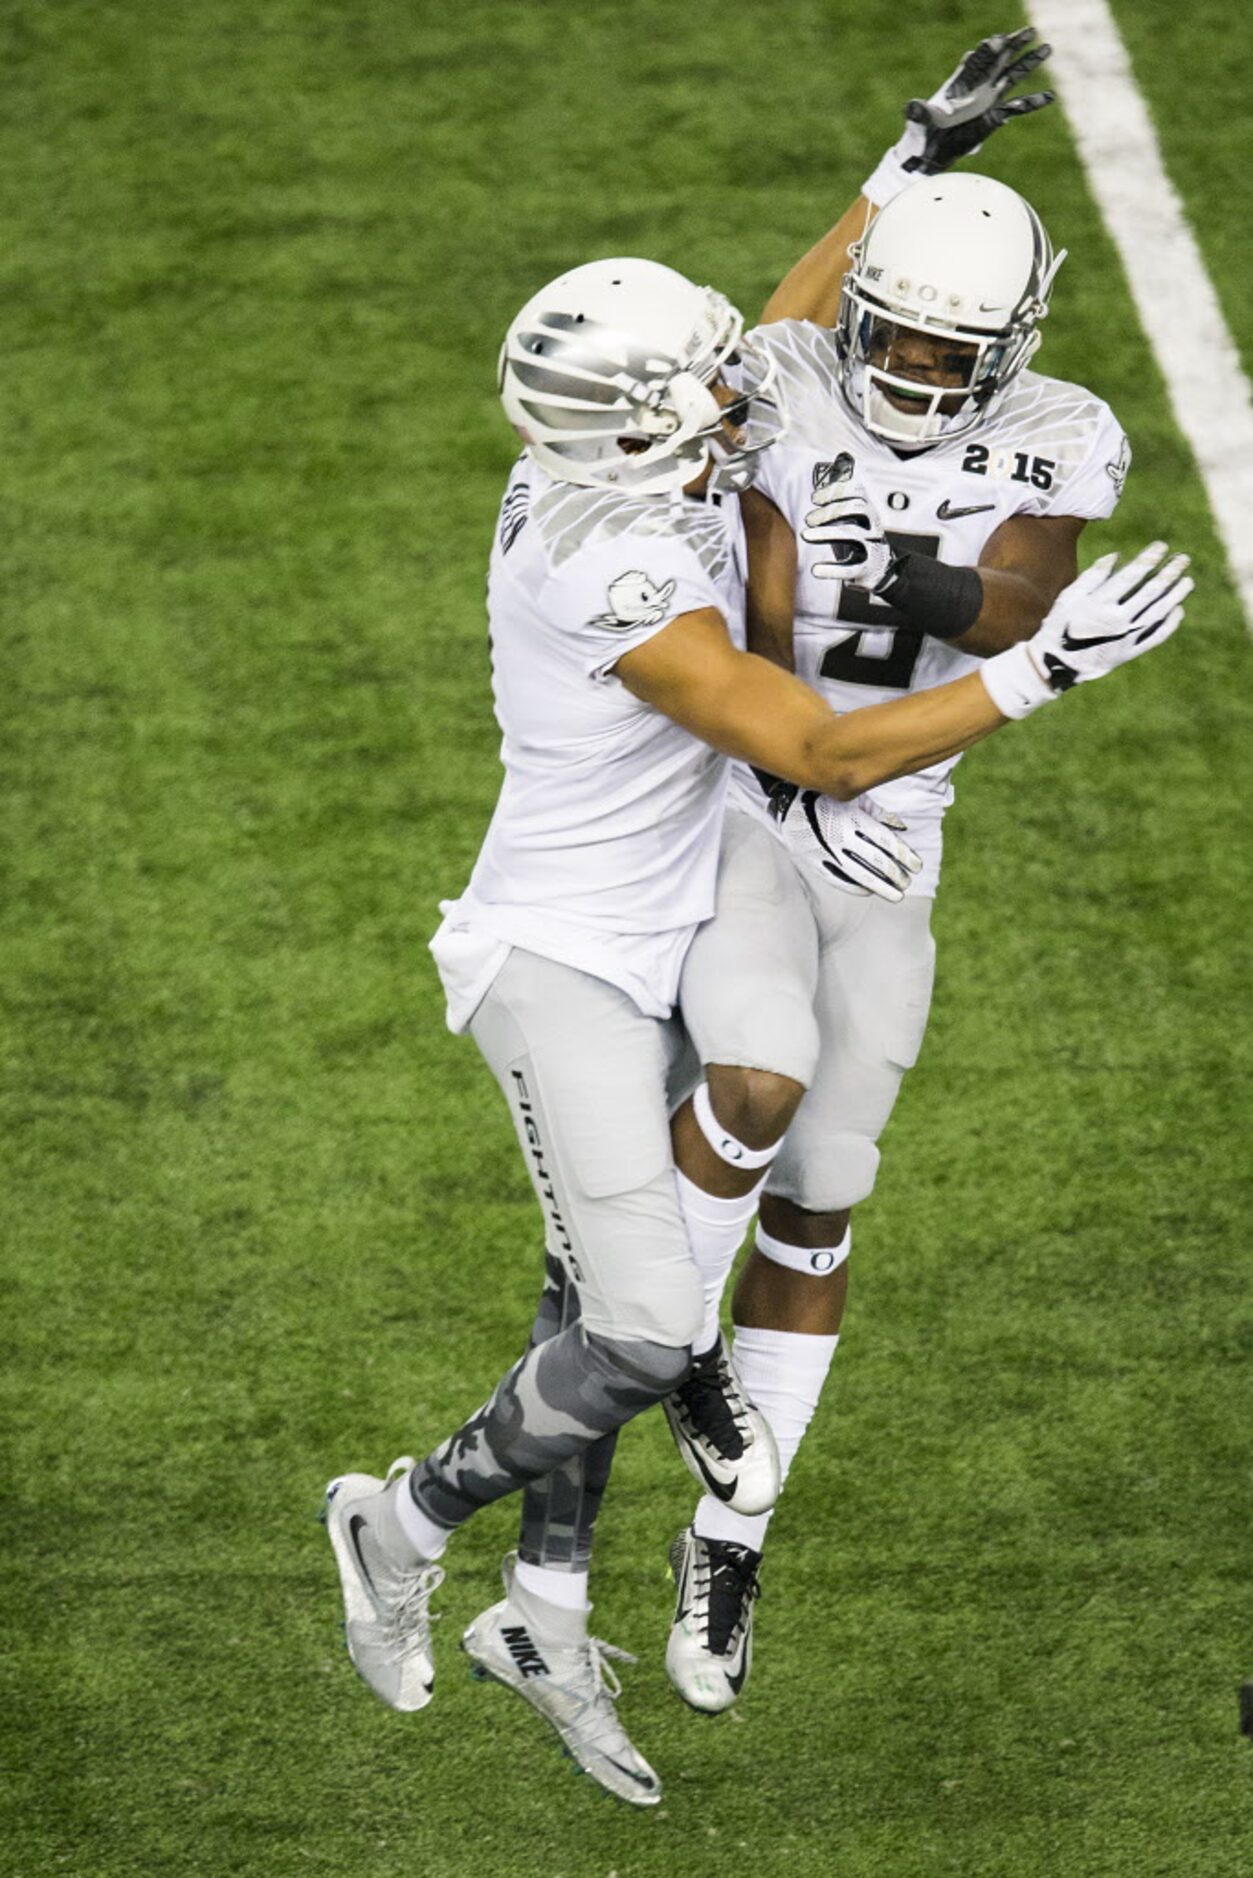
x=724 y=1441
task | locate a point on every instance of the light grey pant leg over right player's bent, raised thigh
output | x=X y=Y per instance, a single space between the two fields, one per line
x=747 y=993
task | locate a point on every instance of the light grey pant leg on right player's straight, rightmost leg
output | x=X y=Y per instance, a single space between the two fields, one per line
x=873 y=1002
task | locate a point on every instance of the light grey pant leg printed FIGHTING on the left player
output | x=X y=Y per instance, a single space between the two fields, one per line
x=583 y=1073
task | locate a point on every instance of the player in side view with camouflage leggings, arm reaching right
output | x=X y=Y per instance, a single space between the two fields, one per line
x=623 y=686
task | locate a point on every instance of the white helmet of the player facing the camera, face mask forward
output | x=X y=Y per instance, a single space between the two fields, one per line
x=959 y=258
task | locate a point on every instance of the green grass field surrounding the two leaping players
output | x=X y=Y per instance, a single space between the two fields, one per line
x=264 y=1218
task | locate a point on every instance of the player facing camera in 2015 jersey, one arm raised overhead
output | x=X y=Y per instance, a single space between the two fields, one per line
x=938 y=489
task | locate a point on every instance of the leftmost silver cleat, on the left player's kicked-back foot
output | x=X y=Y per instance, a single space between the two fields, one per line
x=386 y=1586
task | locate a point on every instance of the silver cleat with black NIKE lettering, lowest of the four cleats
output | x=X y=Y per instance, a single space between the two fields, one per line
x=544 y=1655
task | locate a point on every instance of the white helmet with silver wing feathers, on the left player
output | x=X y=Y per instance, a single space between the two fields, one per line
x=625 y=354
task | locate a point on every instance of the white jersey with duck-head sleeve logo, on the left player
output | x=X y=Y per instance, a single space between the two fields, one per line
x=604 y=846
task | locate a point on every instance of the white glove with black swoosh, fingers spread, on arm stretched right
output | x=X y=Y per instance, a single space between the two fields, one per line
x=1106 y=619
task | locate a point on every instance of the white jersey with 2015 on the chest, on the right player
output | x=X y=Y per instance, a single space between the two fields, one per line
x=1047 y=450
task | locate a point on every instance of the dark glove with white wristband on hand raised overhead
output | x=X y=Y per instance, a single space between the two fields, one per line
x=957 y=119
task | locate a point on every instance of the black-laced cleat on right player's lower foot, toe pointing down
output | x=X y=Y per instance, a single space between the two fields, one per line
x=711 y=1646
